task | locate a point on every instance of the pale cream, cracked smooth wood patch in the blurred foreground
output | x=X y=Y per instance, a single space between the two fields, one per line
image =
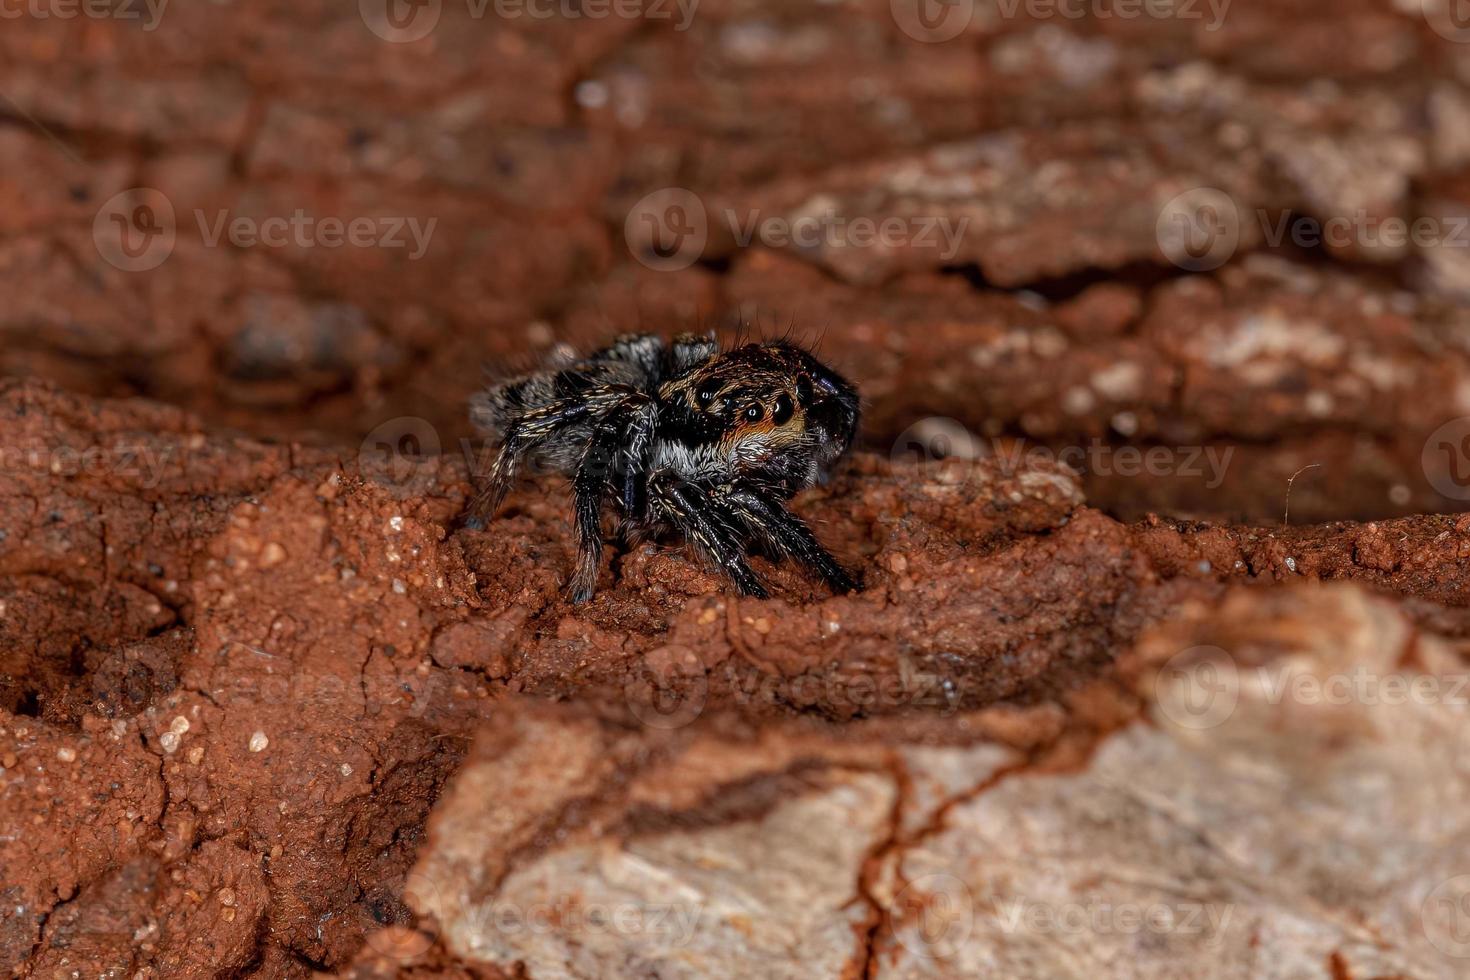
x=1263 y=835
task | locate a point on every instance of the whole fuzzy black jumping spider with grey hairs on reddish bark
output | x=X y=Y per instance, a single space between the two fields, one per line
x=680 y=436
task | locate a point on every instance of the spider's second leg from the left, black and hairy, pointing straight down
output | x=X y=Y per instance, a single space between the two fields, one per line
x=618 y=450
